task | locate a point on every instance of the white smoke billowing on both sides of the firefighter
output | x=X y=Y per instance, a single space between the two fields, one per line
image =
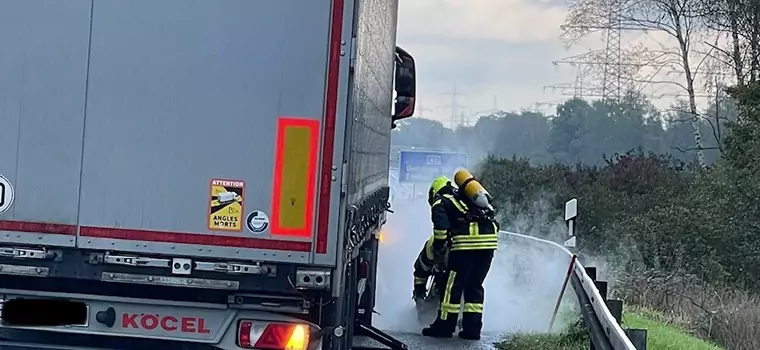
x=521 y=289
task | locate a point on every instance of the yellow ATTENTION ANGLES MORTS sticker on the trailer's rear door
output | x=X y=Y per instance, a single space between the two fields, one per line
x=226 y=205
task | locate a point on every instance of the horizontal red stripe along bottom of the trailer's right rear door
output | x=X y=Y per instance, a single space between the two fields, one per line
x=193 y=238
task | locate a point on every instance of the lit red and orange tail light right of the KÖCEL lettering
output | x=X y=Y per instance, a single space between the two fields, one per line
x=273 y=336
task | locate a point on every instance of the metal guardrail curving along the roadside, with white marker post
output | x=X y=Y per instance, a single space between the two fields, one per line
x=605 y=330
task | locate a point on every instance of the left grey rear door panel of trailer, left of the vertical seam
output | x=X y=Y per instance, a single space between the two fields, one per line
x=42 y=95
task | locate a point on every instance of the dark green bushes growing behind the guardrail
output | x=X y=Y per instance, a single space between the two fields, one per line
x=665 y=214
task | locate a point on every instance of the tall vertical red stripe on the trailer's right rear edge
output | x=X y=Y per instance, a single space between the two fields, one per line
x=331 y=104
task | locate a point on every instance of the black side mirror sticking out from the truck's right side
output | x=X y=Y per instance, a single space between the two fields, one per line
x=405 y=86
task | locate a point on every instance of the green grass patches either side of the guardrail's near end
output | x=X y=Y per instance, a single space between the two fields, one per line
x=661 y=334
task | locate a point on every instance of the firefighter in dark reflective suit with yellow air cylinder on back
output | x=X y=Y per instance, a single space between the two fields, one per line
x=469 y=230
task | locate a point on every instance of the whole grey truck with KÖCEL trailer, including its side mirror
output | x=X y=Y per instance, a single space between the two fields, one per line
x=207 y=174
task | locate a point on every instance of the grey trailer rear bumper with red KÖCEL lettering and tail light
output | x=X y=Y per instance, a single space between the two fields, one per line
x=114 y=322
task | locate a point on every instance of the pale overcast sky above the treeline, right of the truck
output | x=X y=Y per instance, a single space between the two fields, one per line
x=495 y=52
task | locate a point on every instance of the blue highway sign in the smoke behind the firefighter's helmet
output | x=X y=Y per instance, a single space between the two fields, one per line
x=424 y=166
